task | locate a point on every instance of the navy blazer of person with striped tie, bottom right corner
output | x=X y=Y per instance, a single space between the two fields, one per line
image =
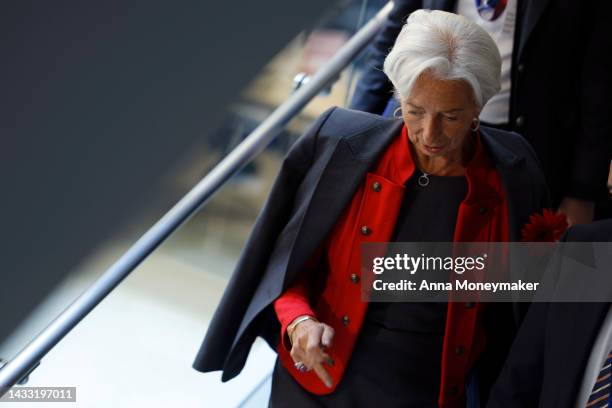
x=547 y=361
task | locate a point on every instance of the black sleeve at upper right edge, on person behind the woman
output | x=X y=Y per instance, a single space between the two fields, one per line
x=593 y=153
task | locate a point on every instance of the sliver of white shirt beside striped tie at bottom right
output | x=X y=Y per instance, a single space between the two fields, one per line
x=599 y=354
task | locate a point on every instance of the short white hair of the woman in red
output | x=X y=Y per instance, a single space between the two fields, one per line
x=451 y=47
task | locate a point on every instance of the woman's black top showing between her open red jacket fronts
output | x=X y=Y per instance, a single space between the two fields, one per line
x=405 y=339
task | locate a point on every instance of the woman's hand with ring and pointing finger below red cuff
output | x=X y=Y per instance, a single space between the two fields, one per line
x=309 y=339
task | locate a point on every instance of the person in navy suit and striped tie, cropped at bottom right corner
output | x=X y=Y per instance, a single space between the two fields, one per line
x=562 y=353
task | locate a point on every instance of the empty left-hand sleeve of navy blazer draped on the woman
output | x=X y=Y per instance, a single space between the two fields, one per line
x=223 y=330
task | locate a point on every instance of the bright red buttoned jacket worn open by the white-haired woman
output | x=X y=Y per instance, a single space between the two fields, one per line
x=482 y=217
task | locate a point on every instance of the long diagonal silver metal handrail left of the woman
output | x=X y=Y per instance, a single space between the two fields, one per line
x=27 y=359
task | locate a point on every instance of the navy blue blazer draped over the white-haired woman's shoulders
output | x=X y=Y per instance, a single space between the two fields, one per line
x=317 y=179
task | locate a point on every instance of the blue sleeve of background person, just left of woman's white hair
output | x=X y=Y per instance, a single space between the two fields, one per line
x=373 y=90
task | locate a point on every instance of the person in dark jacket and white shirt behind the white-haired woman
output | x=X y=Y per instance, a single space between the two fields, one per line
x=556 y=87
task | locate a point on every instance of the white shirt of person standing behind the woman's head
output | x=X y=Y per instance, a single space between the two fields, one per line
x=497 y=110
